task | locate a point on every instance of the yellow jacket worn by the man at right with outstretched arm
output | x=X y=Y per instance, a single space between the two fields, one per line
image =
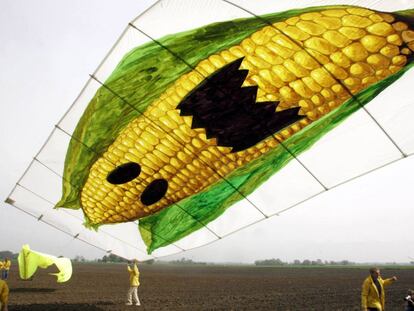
x=370 y=297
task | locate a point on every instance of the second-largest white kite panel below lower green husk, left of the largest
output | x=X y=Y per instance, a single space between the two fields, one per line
x=289 y=186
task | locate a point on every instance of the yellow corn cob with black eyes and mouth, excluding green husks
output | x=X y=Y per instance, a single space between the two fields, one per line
x=239 y=103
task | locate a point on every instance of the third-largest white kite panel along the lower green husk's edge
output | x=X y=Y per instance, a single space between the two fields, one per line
x=235 y=217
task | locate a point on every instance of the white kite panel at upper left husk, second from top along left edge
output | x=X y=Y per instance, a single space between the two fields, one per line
x=129 y=40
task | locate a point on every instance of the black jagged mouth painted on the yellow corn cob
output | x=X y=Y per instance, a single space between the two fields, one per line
x=229 y=112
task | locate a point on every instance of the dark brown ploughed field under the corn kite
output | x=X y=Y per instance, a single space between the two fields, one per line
x=96 y=287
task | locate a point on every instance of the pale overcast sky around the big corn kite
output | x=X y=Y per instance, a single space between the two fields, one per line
x=48 y=49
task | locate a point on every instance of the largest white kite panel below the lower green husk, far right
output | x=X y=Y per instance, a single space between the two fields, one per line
x=354 y=147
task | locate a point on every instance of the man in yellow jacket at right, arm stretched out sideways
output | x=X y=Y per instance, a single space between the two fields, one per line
x=373 y=294
